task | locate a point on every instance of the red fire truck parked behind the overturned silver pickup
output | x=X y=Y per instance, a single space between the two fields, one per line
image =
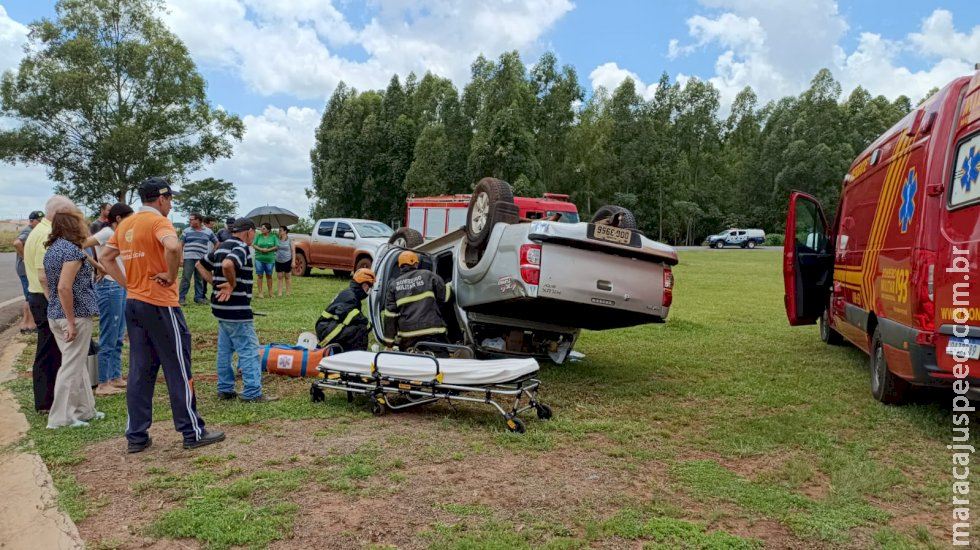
x=436 y=216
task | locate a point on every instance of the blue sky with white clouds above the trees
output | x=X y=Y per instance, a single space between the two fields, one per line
x=276 y=62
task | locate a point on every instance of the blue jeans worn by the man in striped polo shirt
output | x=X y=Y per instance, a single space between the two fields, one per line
x=239 y=336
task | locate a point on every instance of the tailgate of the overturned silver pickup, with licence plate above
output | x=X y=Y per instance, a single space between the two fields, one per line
x=626 y=287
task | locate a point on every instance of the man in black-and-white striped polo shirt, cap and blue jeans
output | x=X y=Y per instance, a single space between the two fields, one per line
x=229 y=269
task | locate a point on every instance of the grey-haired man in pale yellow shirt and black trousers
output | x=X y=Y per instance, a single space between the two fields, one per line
x=47 y=356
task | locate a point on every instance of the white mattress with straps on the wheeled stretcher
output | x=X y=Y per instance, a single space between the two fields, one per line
x=460 y=372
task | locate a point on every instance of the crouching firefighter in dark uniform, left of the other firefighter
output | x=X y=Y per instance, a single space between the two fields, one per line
x=342 y=322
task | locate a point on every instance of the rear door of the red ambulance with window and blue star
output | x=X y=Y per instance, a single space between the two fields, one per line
x=957 y=276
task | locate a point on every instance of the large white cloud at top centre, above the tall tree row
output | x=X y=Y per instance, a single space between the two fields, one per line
x=280 y=46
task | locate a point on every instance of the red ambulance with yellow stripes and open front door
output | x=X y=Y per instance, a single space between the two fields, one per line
x=896 y=272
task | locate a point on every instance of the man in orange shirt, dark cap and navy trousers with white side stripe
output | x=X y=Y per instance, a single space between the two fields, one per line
x=158 y=334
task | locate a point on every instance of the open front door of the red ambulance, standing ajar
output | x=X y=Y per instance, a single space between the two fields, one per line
x=808 y=263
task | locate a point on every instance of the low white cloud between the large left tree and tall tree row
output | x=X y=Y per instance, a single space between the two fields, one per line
x=271 y=165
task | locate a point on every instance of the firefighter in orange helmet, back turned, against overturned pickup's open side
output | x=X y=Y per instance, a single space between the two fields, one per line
x=413 y=299
